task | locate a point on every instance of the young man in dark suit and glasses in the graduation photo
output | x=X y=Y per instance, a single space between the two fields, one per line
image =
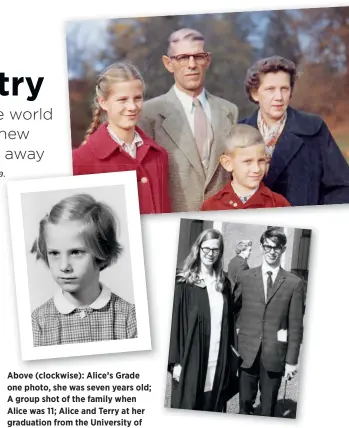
x=271 y=304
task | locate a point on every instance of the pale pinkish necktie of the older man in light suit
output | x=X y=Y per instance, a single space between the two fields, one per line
x=202 y=132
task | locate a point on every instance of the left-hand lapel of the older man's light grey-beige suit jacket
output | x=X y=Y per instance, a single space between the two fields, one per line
x=177 y=127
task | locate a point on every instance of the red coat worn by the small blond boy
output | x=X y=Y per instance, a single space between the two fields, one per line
x=227 y=199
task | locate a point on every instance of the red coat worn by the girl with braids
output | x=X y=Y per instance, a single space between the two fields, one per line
x=102 y=154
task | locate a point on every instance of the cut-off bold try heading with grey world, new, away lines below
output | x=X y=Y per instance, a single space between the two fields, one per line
x=12 y=133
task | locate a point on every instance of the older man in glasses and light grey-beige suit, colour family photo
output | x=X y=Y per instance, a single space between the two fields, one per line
x=190 y=123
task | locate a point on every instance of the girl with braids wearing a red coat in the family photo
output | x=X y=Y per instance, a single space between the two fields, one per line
x=114 y=142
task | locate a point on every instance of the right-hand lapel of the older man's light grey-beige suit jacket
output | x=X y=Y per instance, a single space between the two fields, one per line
x=221 y=126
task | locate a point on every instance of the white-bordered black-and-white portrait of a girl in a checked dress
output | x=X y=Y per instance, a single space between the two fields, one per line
x=82 y=248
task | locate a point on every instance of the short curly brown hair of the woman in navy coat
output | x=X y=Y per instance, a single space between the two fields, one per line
x=263 y=66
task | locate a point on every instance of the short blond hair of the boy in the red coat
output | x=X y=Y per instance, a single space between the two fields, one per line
x=242 y=136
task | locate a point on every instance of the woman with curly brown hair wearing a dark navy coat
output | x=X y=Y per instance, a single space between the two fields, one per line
x=306 y=165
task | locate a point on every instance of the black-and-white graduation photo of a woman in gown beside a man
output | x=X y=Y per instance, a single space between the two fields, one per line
x=237 y=322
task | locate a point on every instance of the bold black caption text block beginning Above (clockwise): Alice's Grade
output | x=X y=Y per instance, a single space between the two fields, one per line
x=75 y=399
